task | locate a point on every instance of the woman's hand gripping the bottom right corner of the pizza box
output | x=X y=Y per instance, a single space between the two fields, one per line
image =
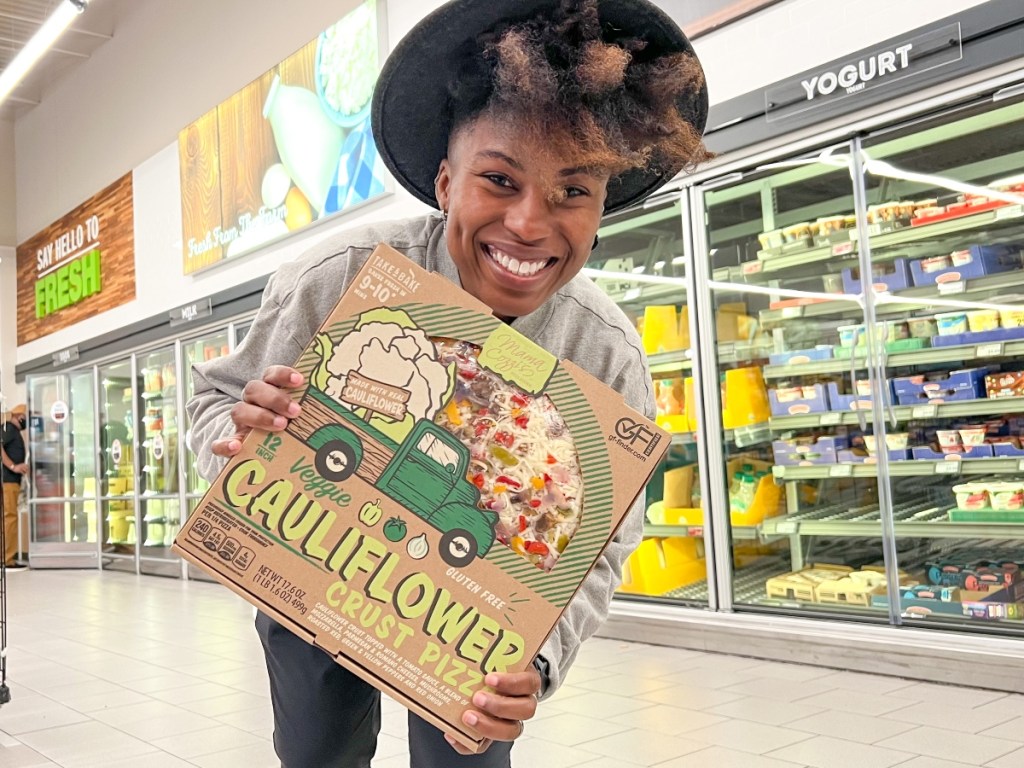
x=501 y=713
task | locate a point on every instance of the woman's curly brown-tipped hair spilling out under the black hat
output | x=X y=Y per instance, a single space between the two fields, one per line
x=604 y=105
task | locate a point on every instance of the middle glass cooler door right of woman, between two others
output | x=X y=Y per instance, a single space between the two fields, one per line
x=791 y=471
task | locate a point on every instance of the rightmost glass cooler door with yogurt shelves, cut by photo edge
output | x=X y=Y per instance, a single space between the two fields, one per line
x=946 y=211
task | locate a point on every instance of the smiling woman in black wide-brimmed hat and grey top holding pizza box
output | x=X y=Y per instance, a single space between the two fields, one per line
x=524 y=123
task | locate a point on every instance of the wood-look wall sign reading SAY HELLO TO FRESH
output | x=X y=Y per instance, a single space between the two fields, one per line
x=80 y=266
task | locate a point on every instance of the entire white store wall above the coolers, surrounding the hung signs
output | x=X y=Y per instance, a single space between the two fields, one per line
x=184 y=61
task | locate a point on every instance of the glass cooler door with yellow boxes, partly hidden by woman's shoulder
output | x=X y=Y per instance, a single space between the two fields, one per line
x=641 y=264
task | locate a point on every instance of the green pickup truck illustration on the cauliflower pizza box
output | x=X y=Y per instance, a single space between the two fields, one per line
x=365 y=428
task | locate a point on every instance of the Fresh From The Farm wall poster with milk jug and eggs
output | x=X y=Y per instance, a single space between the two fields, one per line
x=290 y=149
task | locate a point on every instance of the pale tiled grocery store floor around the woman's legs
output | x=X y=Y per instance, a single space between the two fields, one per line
x=112 y=671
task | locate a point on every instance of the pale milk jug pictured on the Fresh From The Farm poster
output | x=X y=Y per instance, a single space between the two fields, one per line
x=309 y=142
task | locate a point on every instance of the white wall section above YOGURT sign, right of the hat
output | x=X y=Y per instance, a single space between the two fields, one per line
x=797 y=35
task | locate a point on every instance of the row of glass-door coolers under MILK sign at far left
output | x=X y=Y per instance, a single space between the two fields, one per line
x=112 y=477
